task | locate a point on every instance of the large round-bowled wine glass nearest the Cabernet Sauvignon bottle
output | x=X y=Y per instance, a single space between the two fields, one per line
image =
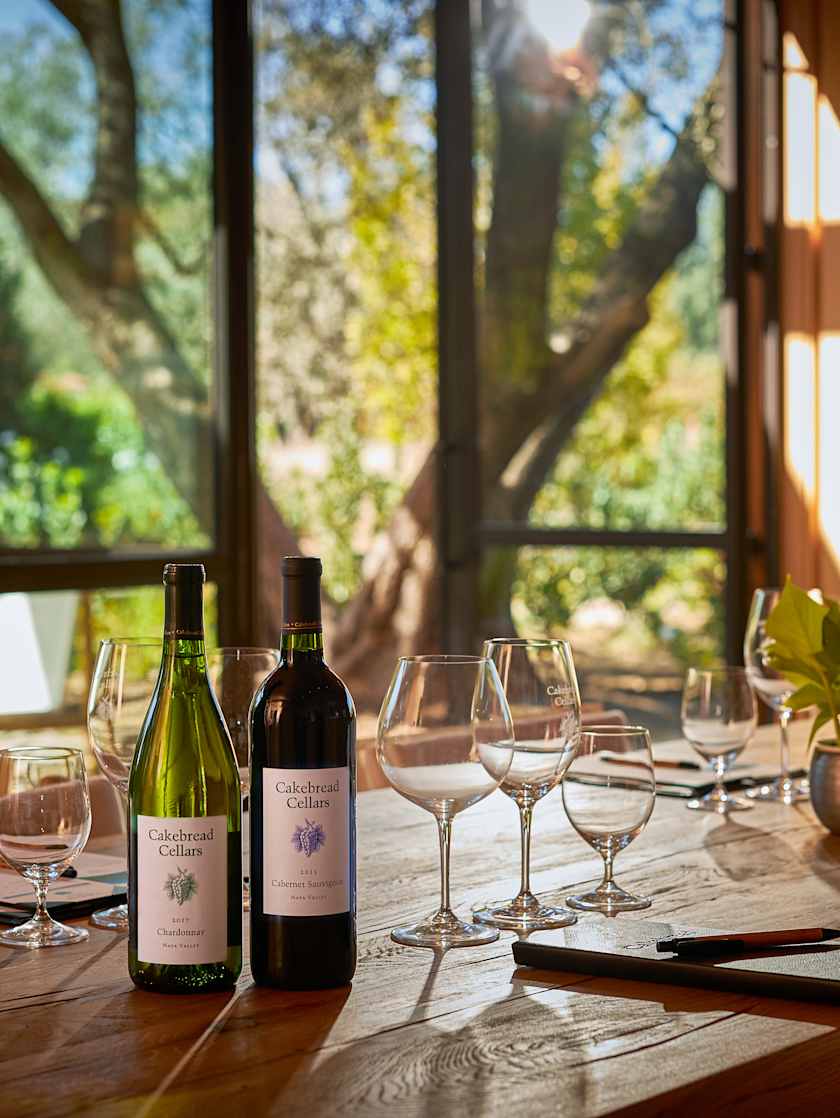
x=445 y=742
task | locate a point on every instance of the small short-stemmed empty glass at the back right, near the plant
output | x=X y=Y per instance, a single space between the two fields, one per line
x=719 y=721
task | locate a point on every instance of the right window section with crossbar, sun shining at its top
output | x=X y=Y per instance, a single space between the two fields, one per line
x=601 y=231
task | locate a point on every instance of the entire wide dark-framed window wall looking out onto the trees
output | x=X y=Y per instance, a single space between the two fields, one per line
x=494 y=282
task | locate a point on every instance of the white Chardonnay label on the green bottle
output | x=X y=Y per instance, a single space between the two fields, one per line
x=183 y=889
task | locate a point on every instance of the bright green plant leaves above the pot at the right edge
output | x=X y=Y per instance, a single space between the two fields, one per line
x=806 y=649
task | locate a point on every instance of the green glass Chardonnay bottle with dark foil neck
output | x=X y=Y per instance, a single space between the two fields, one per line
x=185 y=850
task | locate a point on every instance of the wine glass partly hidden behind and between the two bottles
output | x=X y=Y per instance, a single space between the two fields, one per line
x=235 y=675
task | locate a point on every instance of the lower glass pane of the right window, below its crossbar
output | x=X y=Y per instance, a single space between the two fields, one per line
x=637 y=619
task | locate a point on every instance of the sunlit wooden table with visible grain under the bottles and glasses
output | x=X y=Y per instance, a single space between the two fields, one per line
x=466 y=1034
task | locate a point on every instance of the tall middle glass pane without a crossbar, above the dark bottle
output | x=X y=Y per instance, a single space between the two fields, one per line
x=347 y=306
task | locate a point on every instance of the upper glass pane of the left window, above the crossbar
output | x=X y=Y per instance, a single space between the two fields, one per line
x=106 y=266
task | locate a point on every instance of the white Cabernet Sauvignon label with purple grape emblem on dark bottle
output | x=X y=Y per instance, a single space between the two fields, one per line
x=306 y=841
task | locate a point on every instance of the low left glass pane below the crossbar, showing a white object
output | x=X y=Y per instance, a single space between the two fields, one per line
x=46 y=669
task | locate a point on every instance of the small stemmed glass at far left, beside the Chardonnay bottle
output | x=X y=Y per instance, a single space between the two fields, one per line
x=45 y=820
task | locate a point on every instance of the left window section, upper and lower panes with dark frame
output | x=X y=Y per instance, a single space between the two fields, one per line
x=115 y=394
